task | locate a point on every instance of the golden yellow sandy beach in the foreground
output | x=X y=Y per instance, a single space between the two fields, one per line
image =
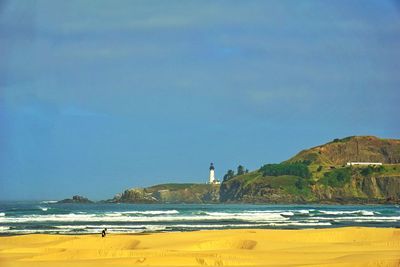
x=349 y=246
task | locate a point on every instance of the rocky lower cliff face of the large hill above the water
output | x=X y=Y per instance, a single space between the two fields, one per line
x=360 y=189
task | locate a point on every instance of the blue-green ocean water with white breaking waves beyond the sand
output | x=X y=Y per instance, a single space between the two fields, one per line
x=48 y=217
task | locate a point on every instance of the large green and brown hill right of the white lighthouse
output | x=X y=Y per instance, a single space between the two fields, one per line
x=320 y=174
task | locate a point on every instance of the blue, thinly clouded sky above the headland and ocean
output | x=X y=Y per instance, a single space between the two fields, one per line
x=100 y=96
